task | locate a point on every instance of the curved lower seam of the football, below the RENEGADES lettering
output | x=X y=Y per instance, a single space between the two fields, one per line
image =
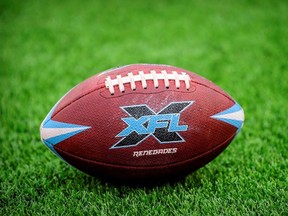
x=148 y=167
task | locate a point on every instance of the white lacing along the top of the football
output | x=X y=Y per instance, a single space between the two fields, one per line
x=131 y=79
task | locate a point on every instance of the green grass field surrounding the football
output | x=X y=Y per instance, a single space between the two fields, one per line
x=46 y=48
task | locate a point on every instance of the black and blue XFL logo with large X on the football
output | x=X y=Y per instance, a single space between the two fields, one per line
x=144 y=122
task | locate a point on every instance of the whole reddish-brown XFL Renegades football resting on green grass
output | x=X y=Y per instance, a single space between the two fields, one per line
x=142 y=123
